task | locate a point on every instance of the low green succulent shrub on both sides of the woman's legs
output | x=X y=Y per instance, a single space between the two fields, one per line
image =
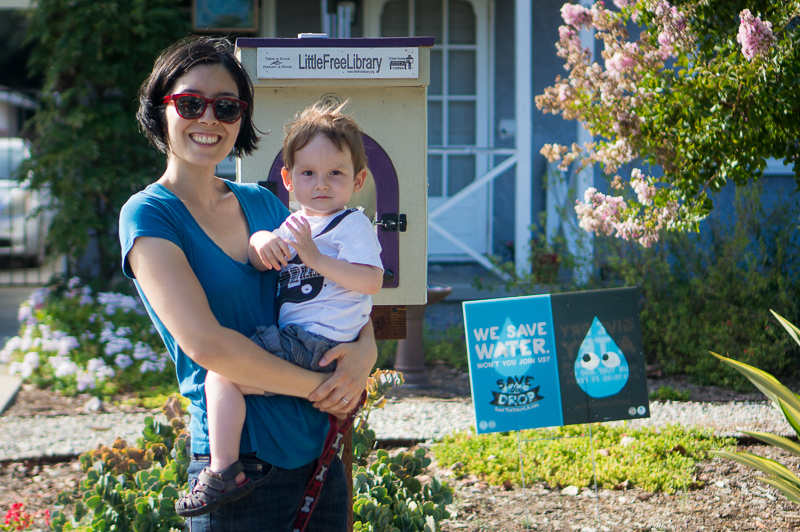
x=133 y=489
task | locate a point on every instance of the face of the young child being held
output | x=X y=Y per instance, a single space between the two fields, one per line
x=323 y=177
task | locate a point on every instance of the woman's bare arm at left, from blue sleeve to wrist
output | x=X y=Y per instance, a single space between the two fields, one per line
x=177 y=297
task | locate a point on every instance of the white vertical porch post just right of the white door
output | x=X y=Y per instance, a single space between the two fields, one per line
x=524 y=137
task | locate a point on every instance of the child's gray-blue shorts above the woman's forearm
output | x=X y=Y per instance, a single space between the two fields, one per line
x=296 y=345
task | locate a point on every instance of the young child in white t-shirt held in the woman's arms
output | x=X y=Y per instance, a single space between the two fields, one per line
x=330 y=265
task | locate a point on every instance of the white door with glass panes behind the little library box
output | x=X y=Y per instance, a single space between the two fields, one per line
x=458 y=111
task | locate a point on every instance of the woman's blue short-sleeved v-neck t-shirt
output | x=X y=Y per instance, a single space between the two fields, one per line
x=285 y=431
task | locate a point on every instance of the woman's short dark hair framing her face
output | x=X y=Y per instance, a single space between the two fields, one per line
x=176 y=61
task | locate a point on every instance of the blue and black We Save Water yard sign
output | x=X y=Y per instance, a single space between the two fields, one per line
x=552 y=360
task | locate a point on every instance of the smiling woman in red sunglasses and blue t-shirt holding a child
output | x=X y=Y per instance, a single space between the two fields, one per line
x=184 y=242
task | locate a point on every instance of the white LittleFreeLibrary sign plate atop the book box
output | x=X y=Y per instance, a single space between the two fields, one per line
x=338 y=63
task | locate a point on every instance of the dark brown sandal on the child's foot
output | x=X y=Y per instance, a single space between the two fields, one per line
x=213 y=490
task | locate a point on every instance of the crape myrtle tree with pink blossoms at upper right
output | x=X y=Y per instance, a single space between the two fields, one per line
x=705 y=92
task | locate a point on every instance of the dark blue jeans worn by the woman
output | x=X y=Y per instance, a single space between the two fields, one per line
x=276 y=499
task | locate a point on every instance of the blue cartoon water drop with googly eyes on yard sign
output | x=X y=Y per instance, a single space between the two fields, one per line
x=601 y=368
